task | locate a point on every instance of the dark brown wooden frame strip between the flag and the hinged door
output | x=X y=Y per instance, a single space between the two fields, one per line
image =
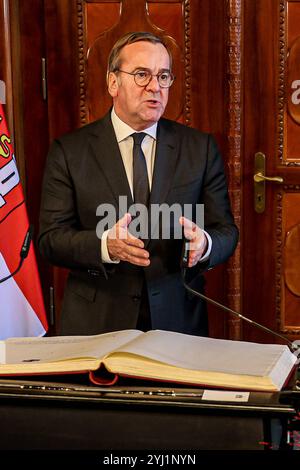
x=33 y=114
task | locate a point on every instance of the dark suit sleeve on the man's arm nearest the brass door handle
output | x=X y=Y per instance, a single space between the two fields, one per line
x=218 y=219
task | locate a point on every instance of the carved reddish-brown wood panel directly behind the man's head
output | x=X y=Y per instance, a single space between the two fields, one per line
x=98 y=36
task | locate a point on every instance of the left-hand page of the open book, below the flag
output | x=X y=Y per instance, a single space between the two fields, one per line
x=59 y=348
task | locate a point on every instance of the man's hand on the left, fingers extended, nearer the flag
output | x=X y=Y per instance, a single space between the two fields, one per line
x=123 y=246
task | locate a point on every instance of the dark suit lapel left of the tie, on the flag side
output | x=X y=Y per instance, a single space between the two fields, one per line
x=106 y=149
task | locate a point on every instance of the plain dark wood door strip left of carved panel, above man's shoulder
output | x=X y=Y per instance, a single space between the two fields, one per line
x=61 y=33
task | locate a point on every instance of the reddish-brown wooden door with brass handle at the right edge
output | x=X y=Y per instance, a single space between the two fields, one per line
x=271 y=237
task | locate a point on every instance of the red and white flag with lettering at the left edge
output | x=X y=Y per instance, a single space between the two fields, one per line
x=22 y=311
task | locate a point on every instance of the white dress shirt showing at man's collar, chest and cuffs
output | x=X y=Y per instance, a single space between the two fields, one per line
x=125 y=141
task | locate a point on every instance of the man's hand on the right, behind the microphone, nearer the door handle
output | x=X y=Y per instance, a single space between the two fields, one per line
x=197 y=240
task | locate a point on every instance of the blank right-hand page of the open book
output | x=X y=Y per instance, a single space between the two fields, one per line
x=207 y=354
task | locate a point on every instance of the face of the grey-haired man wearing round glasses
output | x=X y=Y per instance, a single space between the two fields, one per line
x=140 y=107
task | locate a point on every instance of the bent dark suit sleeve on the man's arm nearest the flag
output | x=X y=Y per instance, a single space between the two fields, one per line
x=61 y=239
